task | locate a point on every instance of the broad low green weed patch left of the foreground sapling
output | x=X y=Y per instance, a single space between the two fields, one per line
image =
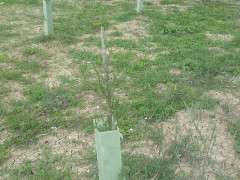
x=42 y=110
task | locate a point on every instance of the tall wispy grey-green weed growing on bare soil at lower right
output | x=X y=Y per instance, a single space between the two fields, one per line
x=193 y=147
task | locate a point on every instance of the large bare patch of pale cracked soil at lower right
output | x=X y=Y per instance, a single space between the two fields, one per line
x=221 y=152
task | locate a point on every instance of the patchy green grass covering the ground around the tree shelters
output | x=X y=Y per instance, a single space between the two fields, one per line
x=139 y=64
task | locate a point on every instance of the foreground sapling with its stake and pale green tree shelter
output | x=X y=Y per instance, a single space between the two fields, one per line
x=107 y=134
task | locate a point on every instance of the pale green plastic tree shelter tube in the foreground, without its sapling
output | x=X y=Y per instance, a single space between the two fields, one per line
x=108 y=151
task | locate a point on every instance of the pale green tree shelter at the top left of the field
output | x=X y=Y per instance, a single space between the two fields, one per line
x=47 y=11
